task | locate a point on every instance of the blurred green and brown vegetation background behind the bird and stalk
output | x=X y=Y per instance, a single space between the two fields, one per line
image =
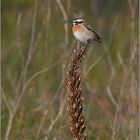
x=110 y=86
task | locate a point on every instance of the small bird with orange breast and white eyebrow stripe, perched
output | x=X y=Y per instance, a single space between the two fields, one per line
x=84 y=32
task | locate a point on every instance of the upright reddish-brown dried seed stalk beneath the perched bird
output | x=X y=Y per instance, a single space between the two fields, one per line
x=75 y=99
